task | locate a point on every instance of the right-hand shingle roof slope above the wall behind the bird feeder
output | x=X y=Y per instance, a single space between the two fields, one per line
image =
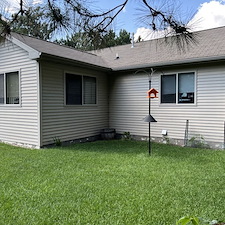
x=210 y=46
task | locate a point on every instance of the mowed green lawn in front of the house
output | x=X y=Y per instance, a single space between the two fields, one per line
x=110 y=182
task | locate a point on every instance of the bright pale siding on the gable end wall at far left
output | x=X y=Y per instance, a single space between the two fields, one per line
x=19 y=123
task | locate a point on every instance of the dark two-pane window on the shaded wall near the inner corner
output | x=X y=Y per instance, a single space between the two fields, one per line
x=80 y=89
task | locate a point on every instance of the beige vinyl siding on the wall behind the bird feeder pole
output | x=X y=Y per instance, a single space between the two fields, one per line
x=129 y=105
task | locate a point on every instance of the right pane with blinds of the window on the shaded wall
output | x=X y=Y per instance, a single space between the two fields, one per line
x=89 y=90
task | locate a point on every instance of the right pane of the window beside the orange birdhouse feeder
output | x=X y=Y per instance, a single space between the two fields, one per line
x=186 y=88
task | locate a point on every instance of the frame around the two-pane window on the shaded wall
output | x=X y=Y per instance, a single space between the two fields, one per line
x=82 y=97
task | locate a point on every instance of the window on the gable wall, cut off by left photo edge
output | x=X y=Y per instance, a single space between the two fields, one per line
x=9 y=88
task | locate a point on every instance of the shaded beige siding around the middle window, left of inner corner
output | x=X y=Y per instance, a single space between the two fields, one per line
x=68 y=122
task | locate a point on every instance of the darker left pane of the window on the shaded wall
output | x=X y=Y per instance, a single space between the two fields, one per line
x=73 y=89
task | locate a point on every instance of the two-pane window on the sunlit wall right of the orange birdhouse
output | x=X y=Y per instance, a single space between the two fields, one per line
x=178 y=88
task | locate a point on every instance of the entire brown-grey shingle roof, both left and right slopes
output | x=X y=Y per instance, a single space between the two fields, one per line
x=210 y=46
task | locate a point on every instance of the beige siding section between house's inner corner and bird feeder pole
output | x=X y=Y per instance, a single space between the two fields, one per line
x=128 y=104
